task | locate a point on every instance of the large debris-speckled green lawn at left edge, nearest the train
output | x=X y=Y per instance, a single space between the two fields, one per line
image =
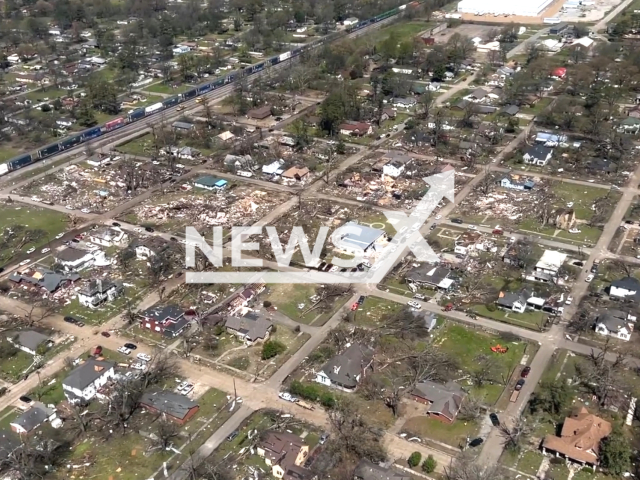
x=40 y=224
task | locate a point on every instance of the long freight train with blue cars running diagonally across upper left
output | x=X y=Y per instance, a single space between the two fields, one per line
x=141 y=113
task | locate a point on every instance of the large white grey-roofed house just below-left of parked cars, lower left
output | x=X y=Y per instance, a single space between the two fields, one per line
x=85 y=380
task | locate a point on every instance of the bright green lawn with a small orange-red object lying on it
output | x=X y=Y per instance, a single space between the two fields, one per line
x=465 y=345
